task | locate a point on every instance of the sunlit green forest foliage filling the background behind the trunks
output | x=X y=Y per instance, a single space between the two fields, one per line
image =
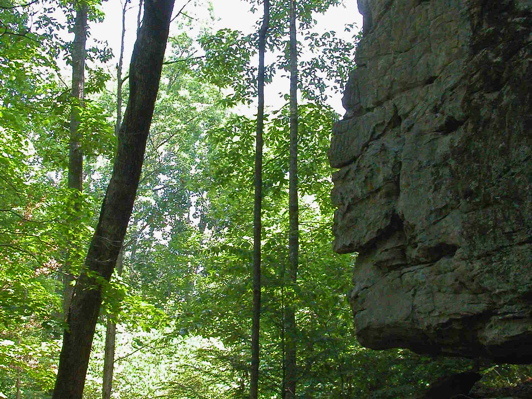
x=183 y=301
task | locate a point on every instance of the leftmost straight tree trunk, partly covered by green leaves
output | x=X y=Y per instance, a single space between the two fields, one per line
x=75 y=153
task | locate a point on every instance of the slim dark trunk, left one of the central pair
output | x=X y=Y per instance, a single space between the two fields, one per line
x=257 y=212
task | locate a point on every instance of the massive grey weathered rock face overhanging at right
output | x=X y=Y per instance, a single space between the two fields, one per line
x=434 y=183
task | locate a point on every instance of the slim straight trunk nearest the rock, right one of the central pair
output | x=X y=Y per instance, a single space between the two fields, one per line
x=293 y=211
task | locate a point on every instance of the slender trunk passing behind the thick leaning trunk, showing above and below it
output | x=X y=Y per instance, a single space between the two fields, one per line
x=110 y=331
